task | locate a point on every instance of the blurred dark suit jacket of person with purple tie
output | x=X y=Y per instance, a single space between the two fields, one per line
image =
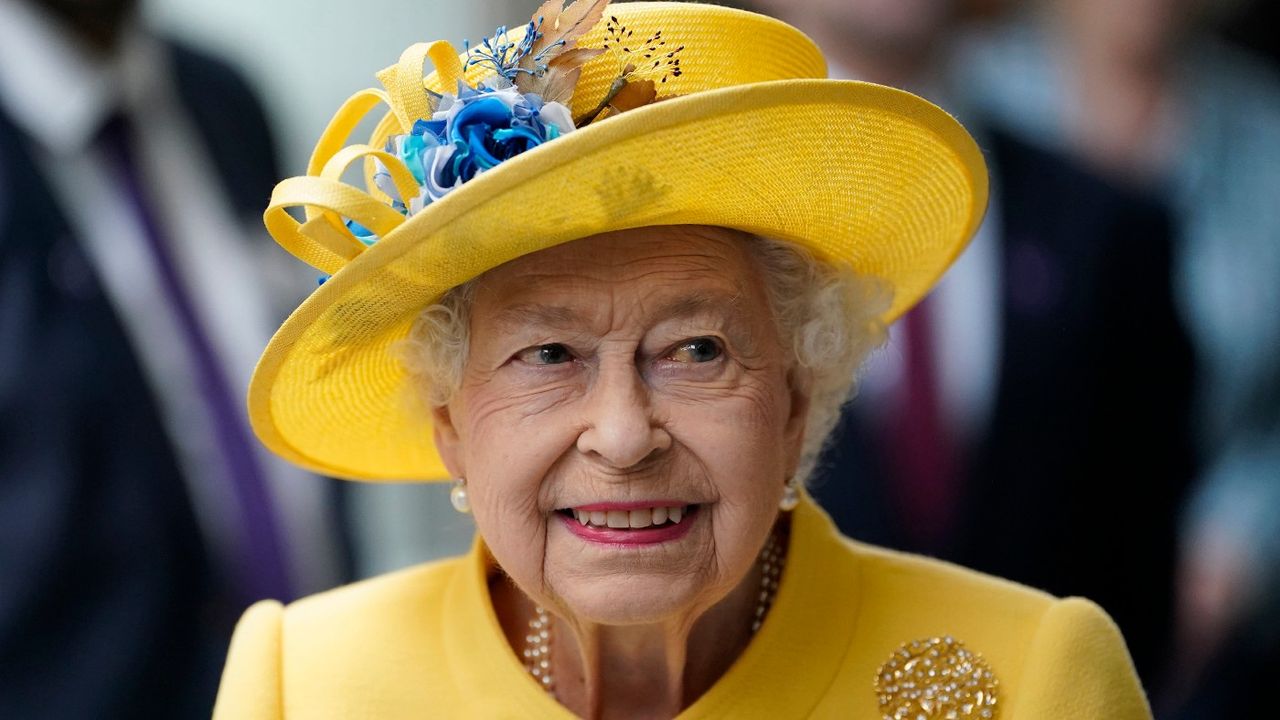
x=108 y=604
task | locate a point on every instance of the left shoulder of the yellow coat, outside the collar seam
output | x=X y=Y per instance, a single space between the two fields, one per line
x=374 y=646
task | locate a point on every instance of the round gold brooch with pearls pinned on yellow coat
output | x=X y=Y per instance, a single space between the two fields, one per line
x=936 y=678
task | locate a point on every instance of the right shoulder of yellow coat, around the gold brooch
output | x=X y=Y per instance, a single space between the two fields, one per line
x=1052 y=658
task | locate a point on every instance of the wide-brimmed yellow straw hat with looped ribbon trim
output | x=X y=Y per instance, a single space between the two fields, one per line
x=747 y=135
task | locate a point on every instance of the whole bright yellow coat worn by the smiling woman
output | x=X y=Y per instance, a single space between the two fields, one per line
x=426 y=644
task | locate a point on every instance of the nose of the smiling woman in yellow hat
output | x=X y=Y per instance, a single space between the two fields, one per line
x=621 y=429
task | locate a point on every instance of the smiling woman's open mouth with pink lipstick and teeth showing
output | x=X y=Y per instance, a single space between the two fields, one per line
x=629 y=523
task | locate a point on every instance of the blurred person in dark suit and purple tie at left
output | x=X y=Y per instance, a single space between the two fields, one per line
x=136 y=518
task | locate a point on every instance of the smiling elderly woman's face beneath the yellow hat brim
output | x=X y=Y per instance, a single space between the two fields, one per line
x=625 y=380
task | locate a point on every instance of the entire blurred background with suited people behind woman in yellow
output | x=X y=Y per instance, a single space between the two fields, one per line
x=1090 y=402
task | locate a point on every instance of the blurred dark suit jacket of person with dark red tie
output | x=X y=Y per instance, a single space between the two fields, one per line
x=1076 y=484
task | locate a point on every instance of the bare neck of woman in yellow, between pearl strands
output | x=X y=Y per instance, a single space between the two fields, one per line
x=652 y=671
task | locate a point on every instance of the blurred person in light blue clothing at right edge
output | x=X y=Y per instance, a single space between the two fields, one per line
x=1146 y=94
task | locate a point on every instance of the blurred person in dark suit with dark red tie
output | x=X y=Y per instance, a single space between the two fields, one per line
x=1034 y=422
